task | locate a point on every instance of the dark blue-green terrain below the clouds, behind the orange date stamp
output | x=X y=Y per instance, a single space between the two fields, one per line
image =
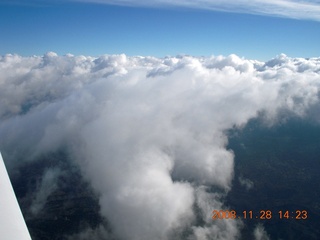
x=283 y=163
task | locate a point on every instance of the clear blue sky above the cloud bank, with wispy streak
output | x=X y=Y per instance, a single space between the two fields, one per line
x=256 y=29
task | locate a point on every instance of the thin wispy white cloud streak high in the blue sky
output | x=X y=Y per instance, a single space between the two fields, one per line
x=282 y=8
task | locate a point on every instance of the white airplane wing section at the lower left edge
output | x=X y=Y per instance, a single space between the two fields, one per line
x=12 y=224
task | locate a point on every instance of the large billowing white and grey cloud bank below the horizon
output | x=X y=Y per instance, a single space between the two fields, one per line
x=148 y=133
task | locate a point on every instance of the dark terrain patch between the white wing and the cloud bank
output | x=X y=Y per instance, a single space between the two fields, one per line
x=70 y=208
